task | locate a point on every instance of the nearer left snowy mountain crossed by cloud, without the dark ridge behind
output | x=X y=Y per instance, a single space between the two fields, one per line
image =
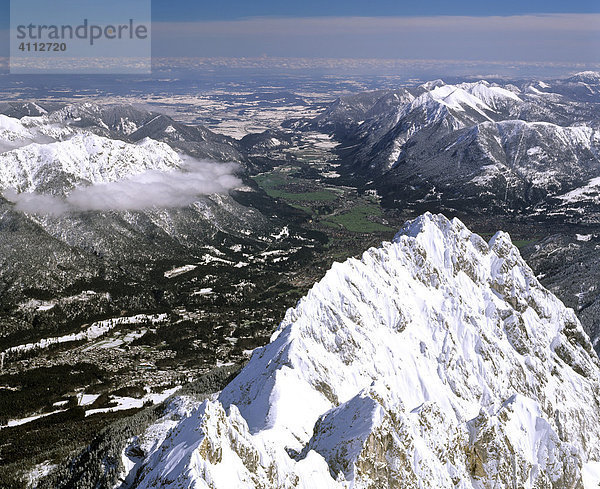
x=59 y=182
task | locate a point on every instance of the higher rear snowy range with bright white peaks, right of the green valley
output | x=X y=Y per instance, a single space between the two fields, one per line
x=375 y=142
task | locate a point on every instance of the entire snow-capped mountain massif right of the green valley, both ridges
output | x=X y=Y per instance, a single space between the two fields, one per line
x=475 y=145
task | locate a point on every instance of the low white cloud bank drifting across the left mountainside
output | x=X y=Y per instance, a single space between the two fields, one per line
x=153 y=188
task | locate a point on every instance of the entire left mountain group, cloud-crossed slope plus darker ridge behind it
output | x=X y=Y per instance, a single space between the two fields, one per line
x=81 y=182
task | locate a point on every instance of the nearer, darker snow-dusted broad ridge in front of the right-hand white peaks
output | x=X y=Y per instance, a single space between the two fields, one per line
x=505 y=166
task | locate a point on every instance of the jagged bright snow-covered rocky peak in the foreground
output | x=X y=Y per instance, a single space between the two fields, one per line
x=437 y=360
